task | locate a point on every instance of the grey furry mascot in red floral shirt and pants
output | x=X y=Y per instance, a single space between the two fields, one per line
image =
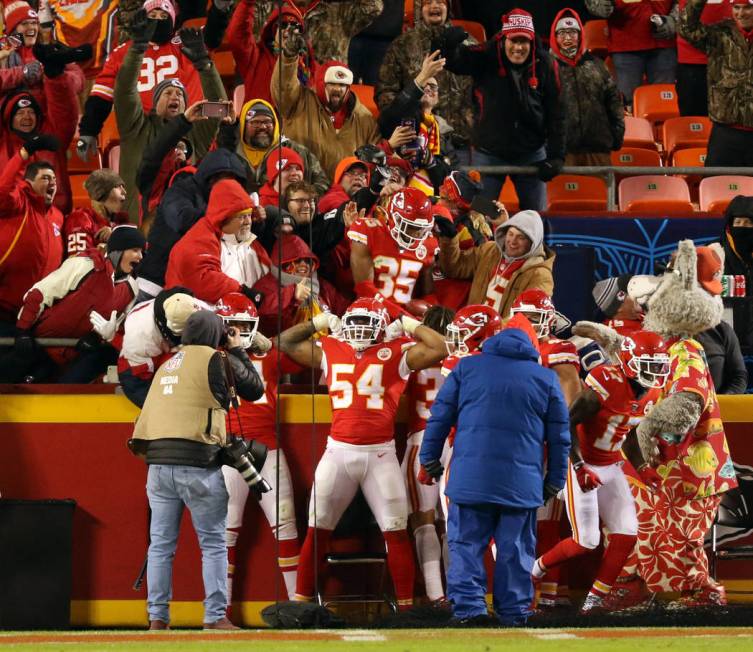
x=688 y=464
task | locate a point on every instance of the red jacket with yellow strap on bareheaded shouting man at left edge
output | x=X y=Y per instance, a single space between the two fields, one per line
x=31 y=245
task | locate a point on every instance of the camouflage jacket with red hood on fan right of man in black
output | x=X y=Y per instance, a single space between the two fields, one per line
x=591 y=103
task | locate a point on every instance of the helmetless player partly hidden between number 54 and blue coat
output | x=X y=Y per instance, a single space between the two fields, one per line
x=423 y=499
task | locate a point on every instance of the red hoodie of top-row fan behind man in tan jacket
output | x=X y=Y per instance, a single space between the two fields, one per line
x=254 y=60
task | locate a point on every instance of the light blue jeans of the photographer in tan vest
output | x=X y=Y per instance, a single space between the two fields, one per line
x=203 y=491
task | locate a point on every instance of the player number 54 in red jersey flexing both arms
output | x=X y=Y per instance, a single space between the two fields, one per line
x=366 y=375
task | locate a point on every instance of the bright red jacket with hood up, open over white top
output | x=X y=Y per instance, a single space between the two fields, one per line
x=195 y=261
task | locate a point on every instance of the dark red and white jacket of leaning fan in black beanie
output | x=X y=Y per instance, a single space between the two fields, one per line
x=59 y=305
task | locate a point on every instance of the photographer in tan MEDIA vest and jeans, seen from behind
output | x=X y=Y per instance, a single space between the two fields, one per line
x=181 y=431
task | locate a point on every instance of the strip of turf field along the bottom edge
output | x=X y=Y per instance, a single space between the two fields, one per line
x=407 y=640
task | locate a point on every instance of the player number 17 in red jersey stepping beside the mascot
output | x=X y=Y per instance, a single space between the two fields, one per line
x=617 y=397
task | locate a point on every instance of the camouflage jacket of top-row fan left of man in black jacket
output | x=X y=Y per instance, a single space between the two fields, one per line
x=402 y=63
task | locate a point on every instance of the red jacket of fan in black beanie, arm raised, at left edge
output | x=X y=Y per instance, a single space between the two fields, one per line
x=59 y=120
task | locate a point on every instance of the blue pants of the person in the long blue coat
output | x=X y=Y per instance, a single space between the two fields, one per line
x=470 y=528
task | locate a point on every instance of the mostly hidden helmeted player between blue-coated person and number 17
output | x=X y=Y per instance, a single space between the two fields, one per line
x=562 y=357
